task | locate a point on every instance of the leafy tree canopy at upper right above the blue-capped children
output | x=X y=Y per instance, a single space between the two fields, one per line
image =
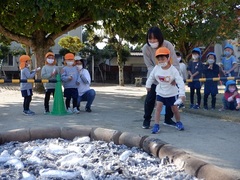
x=199 y=23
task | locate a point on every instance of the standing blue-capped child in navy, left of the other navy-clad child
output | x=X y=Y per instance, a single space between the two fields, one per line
x=195 y=71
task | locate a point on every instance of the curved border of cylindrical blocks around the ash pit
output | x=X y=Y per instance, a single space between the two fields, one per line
x=154 y=146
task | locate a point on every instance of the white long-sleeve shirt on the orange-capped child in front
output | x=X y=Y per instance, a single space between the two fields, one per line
x=164 y=77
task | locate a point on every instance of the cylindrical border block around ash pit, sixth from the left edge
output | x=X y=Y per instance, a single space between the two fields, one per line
x=152 y=145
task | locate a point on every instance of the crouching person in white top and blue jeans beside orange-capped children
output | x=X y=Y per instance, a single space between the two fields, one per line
x=84 y=91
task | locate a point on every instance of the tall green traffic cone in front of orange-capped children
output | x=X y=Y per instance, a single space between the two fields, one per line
x=58 y=102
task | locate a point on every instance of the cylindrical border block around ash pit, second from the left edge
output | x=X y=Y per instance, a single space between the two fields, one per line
x=43 y=133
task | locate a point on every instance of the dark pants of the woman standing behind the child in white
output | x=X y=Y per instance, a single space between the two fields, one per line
x=149 y=105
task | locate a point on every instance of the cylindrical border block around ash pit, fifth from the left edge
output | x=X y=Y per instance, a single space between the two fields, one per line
x=131 y=139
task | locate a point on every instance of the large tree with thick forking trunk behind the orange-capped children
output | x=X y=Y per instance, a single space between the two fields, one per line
x=37 y=24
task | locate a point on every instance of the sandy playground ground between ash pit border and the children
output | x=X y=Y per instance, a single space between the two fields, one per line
x=115 y=107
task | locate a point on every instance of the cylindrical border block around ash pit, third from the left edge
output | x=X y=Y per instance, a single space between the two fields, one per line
x=77 y=131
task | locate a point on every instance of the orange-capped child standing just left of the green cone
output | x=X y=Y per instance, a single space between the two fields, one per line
x=49 y=71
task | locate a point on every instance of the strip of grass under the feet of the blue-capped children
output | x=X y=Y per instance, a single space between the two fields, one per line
x=227 y=115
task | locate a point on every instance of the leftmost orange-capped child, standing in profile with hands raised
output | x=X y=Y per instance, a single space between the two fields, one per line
x=26 y=88
